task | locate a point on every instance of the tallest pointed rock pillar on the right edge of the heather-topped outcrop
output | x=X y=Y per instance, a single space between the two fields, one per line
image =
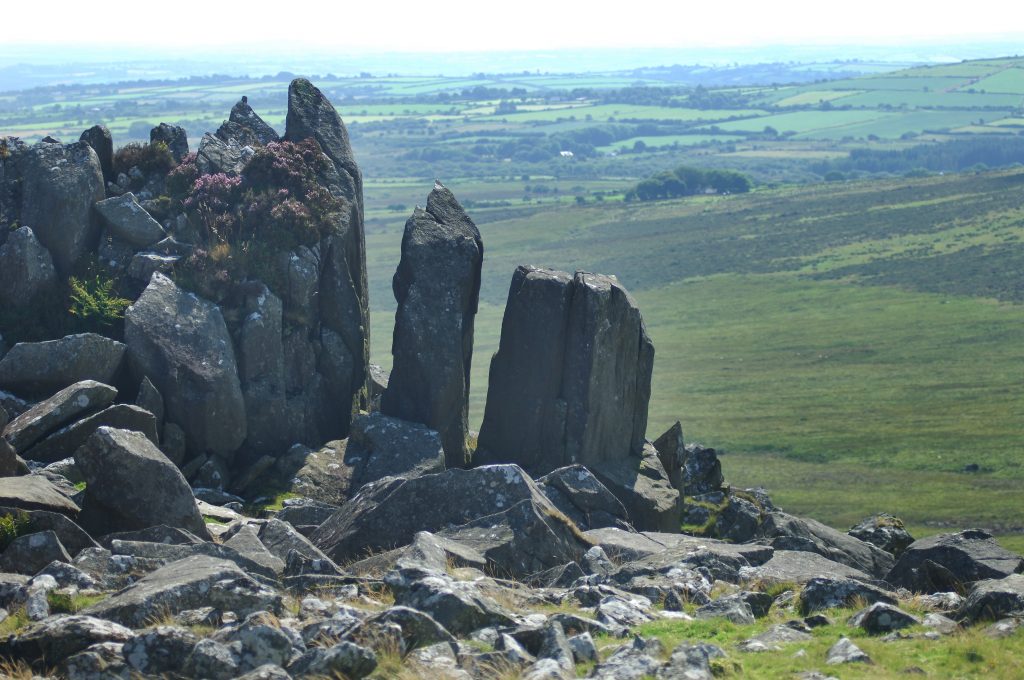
x=344 y=301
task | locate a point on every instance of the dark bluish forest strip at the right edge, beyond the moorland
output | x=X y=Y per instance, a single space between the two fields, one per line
x=948 y=157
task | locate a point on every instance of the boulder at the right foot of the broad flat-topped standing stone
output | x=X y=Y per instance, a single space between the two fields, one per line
x=645 y=489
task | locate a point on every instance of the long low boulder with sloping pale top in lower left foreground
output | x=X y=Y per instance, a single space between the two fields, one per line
x=187 y=584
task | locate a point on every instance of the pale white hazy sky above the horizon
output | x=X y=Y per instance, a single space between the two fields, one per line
x=477 y=25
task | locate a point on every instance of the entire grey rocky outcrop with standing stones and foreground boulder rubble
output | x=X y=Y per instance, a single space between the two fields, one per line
x=206 y=478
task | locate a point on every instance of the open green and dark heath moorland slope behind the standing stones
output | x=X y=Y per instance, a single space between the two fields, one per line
x=852 y=347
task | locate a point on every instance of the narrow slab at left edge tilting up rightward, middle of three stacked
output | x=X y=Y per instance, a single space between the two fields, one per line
x=50 y=415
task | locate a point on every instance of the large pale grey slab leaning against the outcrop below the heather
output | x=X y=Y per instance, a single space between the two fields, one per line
x=182 y=344
